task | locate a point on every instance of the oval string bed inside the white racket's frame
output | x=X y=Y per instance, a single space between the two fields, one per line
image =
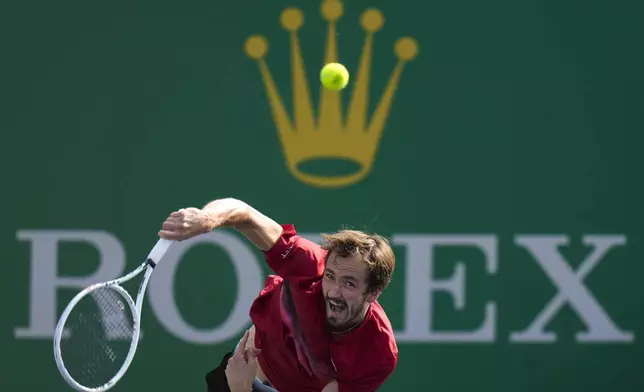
x=97 y=337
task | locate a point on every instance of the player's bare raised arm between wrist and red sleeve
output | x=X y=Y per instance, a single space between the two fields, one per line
x=258 y=228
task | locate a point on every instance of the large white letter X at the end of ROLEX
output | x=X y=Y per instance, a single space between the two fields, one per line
x=571 y=290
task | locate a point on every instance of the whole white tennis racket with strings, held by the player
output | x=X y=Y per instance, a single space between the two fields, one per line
x=98 y=333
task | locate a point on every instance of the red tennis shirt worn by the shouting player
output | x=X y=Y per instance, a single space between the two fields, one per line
x=299 y=353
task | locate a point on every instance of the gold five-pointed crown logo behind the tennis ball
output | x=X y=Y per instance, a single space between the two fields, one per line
x=356 y=138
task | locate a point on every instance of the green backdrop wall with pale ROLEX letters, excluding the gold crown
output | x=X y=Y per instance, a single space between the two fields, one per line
x=518 y=125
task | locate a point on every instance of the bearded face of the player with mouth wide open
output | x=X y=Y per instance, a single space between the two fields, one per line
x=345 y=290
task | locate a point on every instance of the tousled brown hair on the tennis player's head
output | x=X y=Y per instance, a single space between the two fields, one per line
x=374 y=249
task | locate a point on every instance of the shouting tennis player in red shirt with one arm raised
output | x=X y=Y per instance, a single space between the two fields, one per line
x=317 y=323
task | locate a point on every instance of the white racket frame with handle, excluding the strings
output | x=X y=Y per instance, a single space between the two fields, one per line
x=155 y=255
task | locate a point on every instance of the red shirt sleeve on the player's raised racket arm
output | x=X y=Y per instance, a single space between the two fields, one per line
x=293 y=257
